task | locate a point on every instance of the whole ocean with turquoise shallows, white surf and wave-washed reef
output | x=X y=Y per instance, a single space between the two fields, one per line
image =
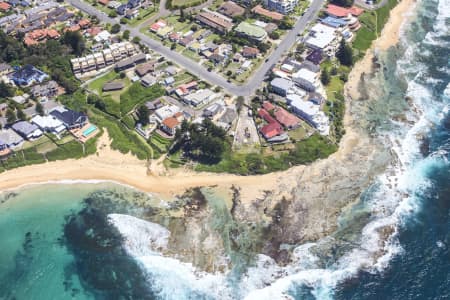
x=105 y=241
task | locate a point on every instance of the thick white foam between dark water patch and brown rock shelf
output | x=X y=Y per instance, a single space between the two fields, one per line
x=169 y=277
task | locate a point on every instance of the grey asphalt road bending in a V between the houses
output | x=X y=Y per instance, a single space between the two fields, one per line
x=215 y=79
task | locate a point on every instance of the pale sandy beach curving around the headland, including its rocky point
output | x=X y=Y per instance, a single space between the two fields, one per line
x=331 y=183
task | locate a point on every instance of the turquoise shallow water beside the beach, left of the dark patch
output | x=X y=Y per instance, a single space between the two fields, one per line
x=34 y=264
